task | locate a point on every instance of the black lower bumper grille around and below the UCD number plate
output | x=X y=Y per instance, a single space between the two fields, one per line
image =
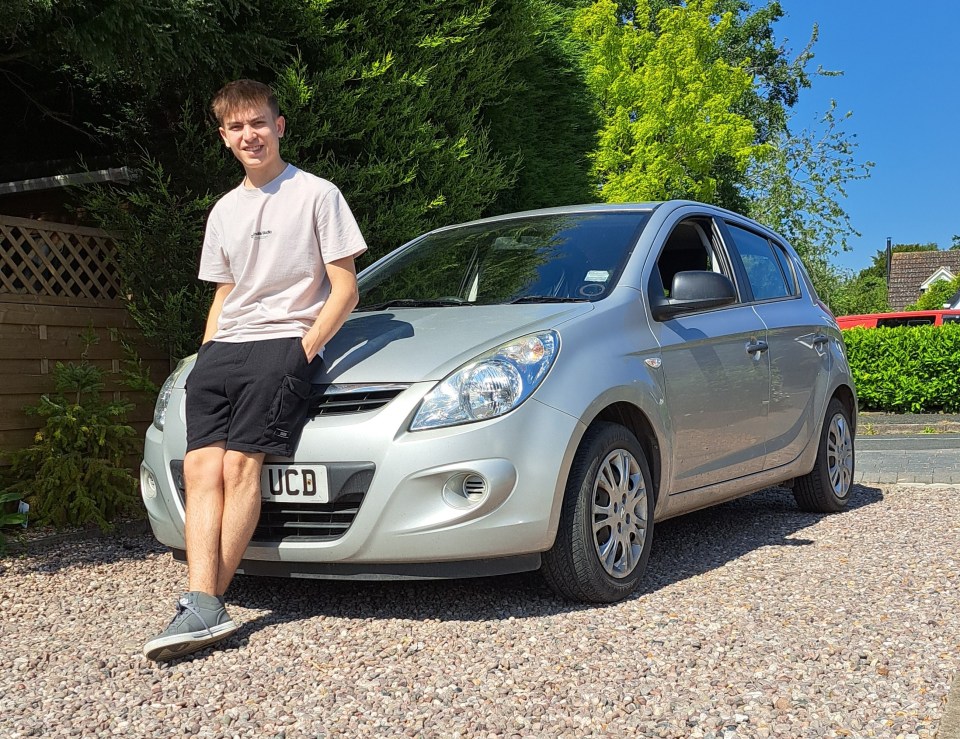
x=307 y=522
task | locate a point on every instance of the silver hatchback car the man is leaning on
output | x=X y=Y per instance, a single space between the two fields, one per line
x=536 y=391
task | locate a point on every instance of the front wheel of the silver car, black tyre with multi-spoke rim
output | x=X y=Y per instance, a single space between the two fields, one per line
x=606 y=523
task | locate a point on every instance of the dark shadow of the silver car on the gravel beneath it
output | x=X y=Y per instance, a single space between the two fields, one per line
x=682 y=547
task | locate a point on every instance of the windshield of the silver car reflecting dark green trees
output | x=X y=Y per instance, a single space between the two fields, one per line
x=548 y=258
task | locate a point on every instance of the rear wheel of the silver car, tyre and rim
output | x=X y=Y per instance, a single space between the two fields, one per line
x=826 y=489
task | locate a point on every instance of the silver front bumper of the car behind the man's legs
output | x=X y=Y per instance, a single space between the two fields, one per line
x=411 y=516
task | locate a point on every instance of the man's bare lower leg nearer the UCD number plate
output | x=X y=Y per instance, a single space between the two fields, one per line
x=241 y=511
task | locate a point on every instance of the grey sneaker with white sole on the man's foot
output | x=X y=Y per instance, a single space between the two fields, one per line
x=201 y=619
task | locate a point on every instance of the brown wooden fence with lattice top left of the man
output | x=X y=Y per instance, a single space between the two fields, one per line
x=58 y=281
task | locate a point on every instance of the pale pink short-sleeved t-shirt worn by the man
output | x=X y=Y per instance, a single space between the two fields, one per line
x=273 y=243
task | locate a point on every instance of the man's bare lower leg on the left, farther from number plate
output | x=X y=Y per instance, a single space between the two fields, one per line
x=203 y=474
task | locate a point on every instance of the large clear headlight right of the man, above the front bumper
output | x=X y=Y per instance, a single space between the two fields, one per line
x=491 y=385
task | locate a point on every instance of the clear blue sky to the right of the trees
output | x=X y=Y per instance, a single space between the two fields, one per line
x=902 y=81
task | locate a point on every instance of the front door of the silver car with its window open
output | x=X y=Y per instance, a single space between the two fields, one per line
x=716 y=380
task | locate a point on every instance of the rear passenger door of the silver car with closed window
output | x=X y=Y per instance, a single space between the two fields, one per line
x=796 y=343
